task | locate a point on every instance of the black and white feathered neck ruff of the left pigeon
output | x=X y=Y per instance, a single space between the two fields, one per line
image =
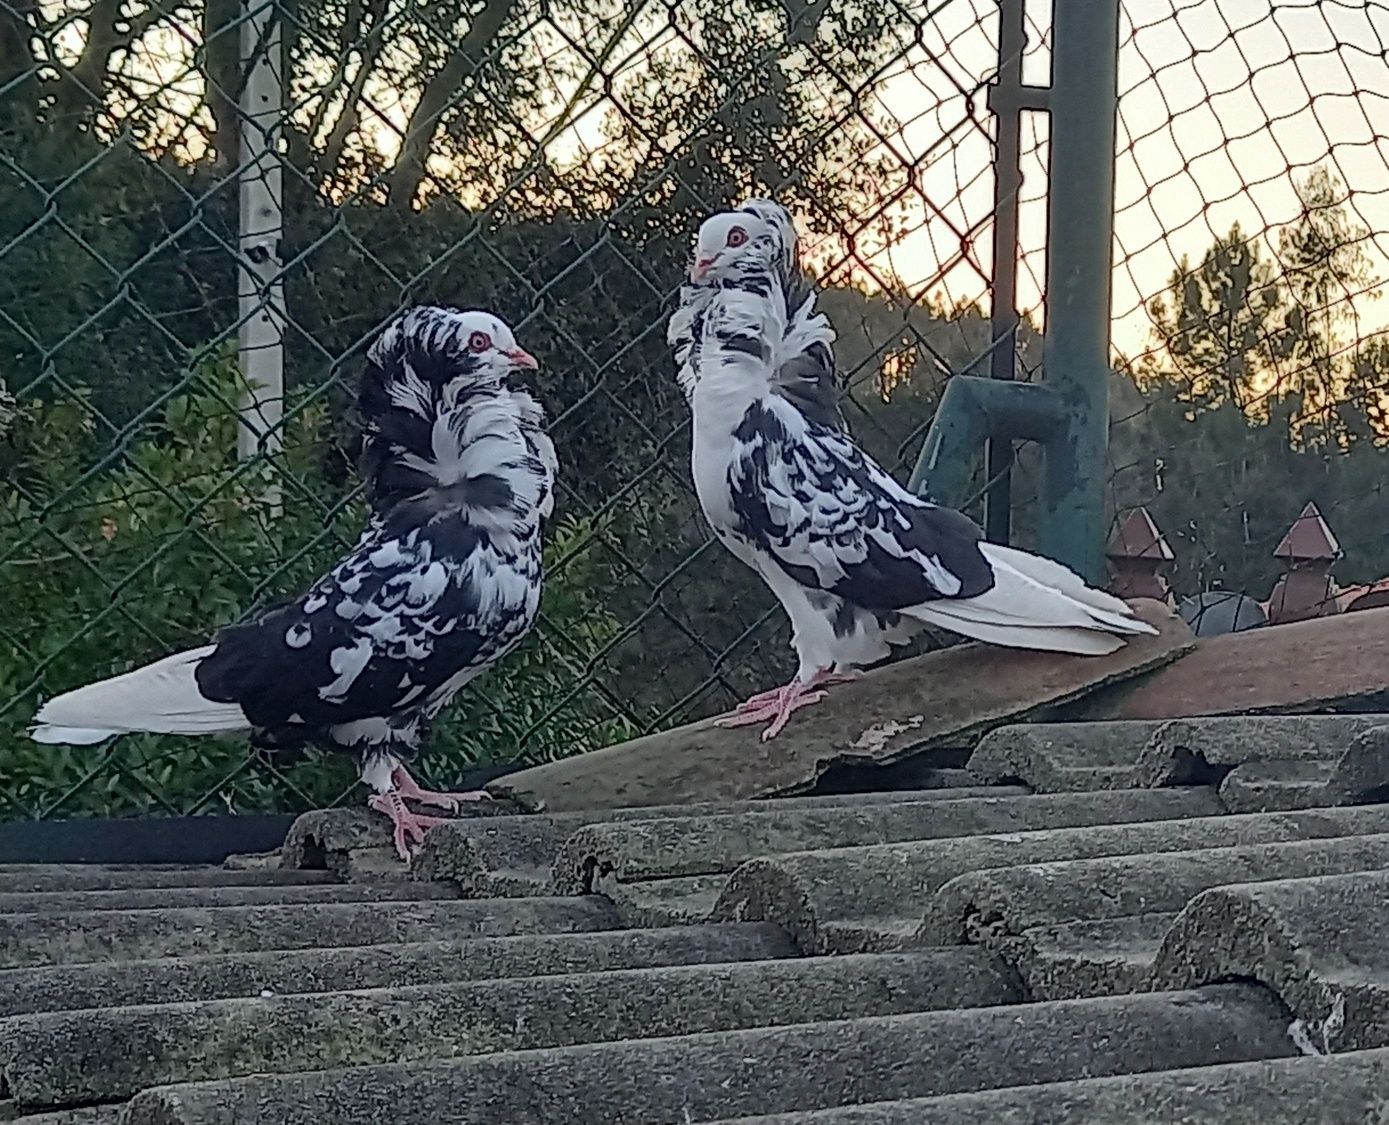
x=434 y=415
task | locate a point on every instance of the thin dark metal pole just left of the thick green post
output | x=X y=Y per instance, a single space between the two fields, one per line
x=1005 y=98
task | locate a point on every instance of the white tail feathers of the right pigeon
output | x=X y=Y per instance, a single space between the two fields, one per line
x=1037 y=603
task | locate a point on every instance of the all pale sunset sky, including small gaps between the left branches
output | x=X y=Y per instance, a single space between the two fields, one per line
x=1222 y=105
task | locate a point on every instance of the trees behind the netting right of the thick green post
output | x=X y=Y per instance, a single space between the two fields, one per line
x=1256 y=398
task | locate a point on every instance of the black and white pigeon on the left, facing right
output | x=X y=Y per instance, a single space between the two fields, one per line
x=444 y=581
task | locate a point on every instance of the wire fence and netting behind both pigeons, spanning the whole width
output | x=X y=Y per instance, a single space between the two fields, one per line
x=203 y=190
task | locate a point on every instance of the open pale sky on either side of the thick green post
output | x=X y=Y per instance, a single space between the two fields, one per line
x=1222 y=105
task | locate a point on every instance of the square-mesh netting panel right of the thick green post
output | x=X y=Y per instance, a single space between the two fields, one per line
x=1252 y=223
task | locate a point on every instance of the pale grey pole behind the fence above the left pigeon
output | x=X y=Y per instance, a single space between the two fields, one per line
x=260 y=290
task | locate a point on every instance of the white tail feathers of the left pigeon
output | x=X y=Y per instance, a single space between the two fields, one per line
x=159 y=699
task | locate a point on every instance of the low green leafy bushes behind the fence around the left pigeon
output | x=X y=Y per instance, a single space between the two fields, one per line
x=108 y=563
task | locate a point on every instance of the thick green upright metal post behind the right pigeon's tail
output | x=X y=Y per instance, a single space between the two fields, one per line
x=1079 y=281
